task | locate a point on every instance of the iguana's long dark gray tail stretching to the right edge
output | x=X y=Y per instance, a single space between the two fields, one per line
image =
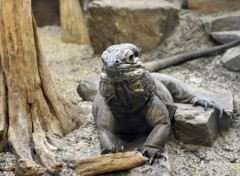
x=159 y=64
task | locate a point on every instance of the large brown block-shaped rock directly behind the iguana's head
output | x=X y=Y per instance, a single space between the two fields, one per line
x=142 y=22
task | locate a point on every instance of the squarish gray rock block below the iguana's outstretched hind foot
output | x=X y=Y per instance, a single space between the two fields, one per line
x=193 y=125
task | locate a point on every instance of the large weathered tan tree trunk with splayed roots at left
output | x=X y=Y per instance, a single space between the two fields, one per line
x=33 y=115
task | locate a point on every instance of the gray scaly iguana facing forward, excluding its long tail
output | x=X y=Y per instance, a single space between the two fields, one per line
x=132 y=102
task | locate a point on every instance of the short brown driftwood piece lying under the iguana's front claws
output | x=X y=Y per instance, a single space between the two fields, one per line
x=109 y=162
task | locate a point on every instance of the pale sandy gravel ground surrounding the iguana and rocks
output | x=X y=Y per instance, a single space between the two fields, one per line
x=69 y=63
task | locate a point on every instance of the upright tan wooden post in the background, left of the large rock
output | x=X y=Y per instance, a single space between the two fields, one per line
x=74 y=29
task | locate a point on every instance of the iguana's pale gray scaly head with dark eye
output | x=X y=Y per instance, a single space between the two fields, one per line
x=120 y=59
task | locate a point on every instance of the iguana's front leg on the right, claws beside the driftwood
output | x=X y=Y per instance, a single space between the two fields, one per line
x=158 y=117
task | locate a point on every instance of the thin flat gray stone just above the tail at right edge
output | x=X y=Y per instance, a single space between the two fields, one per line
x=226 y=36
